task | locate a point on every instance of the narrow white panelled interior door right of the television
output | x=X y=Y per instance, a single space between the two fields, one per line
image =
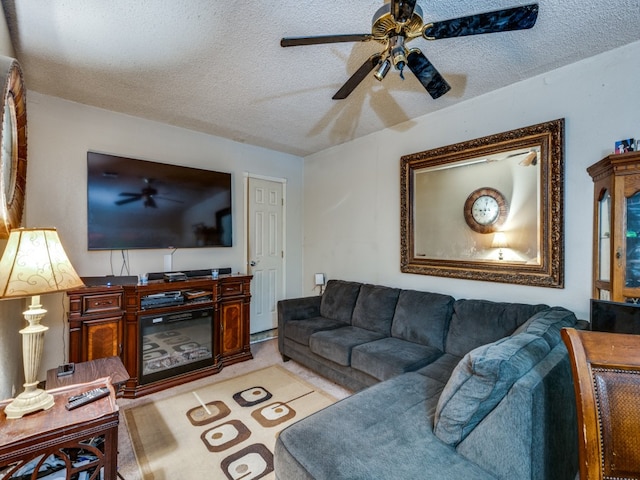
x=265 y=251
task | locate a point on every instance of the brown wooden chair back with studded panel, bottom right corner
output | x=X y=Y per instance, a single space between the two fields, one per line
x=606 y=375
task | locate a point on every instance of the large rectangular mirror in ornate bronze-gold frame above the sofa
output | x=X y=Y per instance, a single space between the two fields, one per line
x=487 y=209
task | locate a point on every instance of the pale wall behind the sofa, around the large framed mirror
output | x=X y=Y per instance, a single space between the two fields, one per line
x=352 y=191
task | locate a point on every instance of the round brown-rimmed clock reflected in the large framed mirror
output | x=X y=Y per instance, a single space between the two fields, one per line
x=485 y=210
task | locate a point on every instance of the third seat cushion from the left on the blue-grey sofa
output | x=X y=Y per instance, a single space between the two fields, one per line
x=390 y=356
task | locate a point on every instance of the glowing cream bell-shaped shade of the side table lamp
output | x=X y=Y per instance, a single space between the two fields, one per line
x=34 y=263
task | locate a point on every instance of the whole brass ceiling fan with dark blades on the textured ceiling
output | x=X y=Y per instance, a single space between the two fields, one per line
x=398 y=22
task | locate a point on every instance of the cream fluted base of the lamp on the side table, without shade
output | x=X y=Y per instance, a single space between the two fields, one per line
x=33 y=398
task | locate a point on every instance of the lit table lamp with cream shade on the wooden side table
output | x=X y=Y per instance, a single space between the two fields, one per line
x=34 y=263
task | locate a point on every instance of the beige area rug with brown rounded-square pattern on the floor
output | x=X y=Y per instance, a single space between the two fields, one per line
x=225 y=430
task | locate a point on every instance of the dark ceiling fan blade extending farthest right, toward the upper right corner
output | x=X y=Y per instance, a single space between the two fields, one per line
x=518 y=18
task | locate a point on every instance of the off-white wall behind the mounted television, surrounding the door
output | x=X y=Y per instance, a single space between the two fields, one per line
x=59 y=135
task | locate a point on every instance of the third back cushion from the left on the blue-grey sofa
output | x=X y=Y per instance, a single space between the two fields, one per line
x=422 y=317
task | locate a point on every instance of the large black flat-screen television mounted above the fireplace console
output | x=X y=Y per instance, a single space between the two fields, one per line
x=141 y=204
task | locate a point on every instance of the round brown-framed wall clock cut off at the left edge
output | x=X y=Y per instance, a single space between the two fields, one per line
x=13 y=150
